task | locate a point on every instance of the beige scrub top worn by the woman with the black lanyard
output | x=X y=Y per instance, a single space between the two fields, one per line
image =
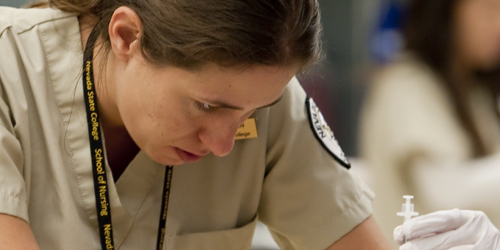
x=284 y=178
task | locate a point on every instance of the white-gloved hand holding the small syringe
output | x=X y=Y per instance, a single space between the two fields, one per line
x=451 y=229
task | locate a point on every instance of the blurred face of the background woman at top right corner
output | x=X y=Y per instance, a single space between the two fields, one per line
x=478 y=33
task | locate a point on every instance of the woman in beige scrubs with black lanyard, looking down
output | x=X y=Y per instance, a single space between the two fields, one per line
x=99 y=96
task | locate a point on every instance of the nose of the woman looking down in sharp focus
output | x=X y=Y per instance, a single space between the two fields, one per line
x=219 y=138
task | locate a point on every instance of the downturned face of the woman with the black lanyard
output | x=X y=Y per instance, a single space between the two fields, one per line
x=179 y=116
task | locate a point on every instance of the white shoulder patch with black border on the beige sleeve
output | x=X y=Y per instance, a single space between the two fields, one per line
x=324 y=134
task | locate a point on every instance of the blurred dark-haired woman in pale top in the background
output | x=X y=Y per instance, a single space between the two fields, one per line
x=430 y=124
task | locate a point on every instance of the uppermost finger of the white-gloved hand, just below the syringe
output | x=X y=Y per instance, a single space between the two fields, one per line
x=435 y=223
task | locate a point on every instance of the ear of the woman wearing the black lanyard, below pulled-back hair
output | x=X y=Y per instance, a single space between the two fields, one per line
x=124 y=33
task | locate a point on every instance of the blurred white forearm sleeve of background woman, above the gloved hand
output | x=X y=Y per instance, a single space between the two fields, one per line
x=472 y=184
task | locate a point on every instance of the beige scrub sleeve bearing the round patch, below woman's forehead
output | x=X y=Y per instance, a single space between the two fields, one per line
x=309 y=199
